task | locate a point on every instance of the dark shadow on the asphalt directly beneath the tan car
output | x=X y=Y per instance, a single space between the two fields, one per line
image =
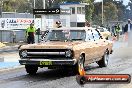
x=54 y=74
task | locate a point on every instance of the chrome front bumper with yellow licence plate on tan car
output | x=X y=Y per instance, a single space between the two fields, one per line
x=47 y=62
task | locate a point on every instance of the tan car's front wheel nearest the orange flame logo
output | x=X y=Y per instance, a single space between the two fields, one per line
x=79 y=63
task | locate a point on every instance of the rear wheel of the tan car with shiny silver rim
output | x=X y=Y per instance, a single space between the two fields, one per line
x=104 y=61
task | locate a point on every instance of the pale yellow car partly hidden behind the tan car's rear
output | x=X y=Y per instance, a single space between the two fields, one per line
x=104 y=32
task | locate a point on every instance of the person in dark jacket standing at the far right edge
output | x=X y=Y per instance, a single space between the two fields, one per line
x=128 y=32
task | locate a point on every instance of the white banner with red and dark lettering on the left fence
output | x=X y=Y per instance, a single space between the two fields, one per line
x=18 y=23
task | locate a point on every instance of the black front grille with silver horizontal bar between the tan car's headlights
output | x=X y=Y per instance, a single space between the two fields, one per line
x=46 y=53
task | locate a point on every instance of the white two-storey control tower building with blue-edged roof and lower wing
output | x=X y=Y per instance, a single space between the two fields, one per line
x=72 y=14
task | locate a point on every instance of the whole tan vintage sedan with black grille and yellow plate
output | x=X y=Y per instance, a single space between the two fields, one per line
x=68 y=48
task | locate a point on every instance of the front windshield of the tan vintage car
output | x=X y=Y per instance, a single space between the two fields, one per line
x=66 y=35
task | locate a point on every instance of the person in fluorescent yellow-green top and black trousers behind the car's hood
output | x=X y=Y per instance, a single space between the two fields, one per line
x=30 y=34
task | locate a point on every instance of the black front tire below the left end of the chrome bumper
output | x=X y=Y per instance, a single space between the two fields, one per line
x=31 y=69
